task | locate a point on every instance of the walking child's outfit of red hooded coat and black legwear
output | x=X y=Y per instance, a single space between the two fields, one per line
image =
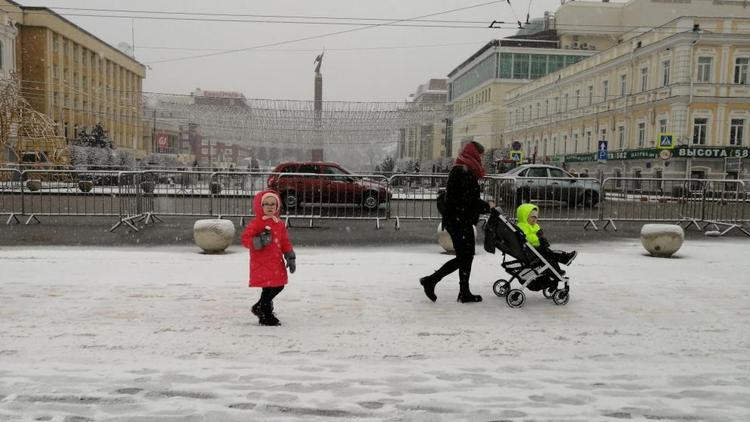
x=267 y=268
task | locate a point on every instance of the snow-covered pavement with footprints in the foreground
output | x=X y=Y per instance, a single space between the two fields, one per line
x=166 y=334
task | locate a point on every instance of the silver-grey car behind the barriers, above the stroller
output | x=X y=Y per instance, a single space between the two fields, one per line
x=541 y=182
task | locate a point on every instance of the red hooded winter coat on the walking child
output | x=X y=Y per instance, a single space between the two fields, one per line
x=267 y=267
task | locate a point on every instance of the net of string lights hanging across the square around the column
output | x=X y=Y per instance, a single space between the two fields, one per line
x=288 y=124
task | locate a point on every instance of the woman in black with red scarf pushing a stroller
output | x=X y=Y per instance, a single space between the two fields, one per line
x=463 y=206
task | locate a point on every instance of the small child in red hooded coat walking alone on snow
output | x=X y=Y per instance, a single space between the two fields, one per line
x=269 y=245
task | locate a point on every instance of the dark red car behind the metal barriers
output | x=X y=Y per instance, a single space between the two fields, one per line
x=325 y=183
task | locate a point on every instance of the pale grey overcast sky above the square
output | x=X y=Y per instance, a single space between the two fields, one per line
x=384 y=63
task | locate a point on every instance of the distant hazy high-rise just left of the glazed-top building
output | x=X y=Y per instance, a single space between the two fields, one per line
x=424 y=142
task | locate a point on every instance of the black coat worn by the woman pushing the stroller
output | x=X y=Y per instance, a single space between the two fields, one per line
x=463 y=204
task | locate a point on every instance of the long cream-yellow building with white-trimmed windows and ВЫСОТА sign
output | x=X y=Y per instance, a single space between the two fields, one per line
x=686 y=80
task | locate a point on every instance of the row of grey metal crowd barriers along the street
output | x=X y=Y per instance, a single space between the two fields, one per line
x=138 y=196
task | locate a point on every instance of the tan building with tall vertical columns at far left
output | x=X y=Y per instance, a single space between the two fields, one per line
x=77 y=79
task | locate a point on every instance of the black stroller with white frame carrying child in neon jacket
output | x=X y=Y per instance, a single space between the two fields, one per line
x=528 y=266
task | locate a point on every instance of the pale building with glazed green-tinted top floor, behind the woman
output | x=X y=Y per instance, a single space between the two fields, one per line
x=478 y=87
